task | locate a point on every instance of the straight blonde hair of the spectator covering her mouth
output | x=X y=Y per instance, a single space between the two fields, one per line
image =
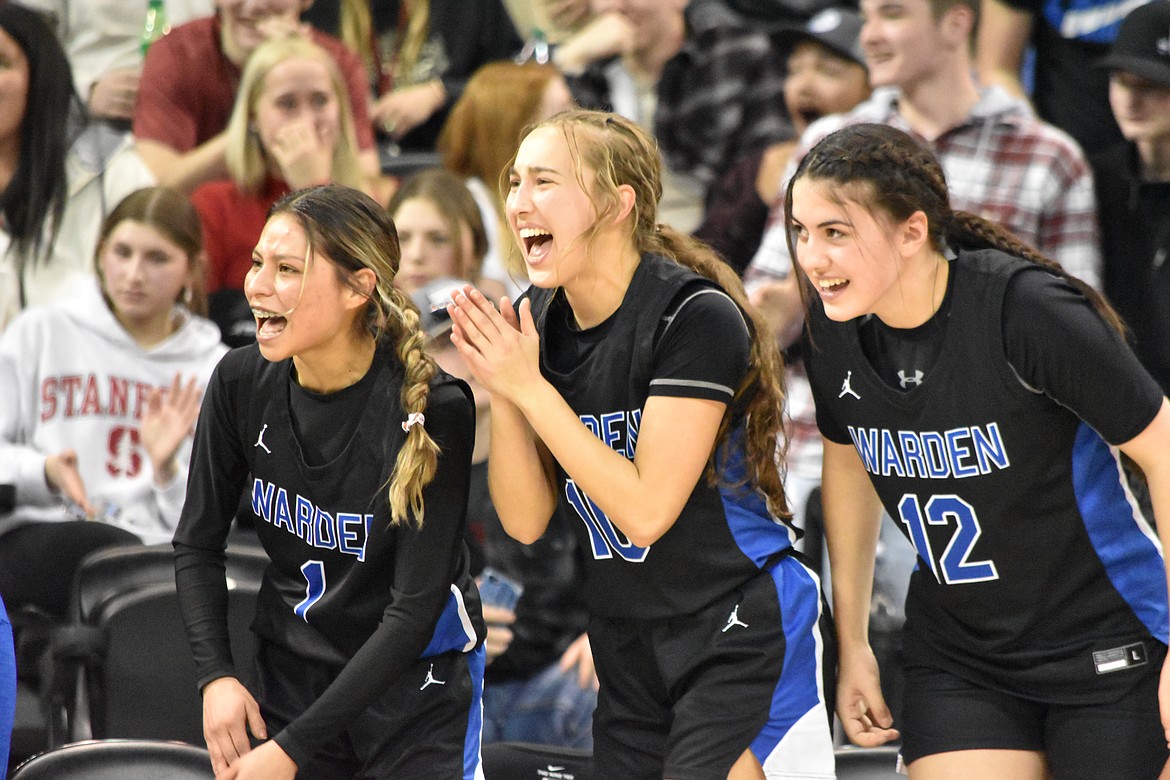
x=247 y=161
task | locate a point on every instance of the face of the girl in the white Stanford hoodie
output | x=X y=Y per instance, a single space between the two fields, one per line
x=143 y=275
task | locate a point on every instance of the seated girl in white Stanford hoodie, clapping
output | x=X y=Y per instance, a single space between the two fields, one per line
x=101 y=394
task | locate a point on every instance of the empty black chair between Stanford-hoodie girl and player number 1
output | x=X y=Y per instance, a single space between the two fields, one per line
x=122 y=668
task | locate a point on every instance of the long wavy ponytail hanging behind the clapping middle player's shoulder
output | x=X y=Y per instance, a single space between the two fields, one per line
x=765 y=439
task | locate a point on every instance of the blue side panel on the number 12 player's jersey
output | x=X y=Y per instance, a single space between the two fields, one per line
x=1121 y=535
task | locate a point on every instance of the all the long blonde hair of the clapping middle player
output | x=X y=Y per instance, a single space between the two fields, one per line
x=620 y=153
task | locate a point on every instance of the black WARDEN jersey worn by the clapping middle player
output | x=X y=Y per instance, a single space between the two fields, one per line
x=724 y=537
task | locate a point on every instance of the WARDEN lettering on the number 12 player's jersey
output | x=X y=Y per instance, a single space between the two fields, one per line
x=931 y=454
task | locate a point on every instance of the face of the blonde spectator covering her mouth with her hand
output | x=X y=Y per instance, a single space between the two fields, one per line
x=298 y=92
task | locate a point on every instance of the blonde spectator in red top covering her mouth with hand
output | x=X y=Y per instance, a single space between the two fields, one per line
x=292 y=128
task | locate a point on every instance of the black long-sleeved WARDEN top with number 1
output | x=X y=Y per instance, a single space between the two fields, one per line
x=340 y=574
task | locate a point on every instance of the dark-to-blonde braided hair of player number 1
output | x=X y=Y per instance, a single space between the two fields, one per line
x=353 y=231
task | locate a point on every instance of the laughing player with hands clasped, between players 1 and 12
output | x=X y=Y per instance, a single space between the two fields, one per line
x=637 y=392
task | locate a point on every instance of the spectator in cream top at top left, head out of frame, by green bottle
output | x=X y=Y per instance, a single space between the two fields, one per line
x=104 y=43
